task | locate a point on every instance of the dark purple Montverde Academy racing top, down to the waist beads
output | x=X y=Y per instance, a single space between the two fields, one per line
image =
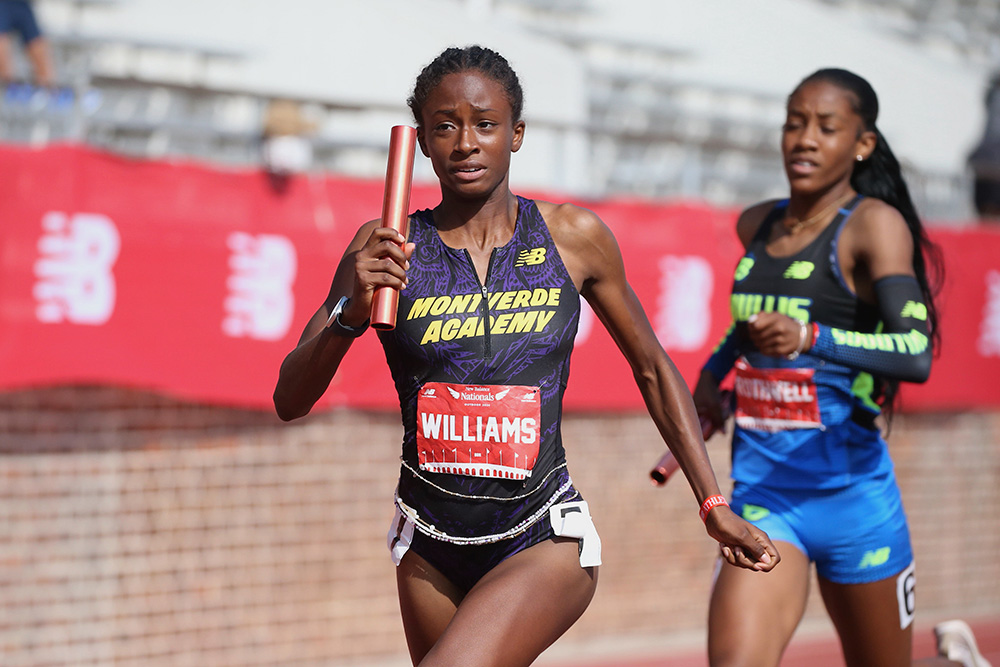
x=480 y=369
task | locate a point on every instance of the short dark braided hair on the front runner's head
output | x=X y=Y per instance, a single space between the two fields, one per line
x=455 y=60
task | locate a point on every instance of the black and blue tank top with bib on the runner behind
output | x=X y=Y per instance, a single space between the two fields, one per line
x=830 y=442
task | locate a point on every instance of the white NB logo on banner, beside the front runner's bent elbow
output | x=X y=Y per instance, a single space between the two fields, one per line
x=260 y=303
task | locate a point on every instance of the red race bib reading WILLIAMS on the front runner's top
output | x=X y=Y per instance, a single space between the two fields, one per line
x=478 y=430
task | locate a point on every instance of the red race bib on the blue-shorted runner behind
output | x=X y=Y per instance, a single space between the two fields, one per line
x=775 y=399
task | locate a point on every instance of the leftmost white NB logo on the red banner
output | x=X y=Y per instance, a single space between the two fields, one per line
x=74 y=275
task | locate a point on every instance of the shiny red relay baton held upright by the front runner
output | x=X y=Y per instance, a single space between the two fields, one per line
x=395 y=205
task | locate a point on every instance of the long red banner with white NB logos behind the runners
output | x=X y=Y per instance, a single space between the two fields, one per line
x=195 y=281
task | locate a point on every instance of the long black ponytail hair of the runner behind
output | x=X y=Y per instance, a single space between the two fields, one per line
x=880 y=176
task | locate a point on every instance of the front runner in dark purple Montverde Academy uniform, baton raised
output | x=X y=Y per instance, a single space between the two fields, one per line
x=497 y=554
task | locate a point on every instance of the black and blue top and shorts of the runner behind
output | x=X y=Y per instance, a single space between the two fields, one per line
x=809 y=465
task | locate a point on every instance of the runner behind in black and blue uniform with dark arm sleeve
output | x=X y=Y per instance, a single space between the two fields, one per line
x=832 y=307
